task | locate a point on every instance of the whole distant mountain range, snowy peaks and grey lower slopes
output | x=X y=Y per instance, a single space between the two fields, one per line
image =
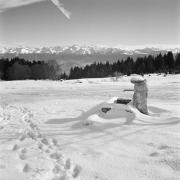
x=69 y=56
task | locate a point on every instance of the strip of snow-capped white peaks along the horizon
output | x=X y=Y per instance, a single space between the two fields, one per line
x=83 y=50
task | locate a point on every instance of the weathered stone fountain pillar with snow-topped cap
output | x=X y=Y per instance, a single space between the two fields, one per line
x=140 y=94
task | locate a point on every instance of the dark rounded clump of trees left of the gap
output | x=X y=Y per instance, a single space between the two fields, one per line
x=20 y=69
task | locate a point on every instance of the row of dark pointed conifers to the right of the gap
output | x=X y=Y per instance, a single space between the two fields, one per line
x=166 y=63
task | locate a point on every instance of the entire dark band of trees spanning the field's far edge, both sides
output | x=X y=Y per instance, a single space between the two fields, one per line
x=20 y=69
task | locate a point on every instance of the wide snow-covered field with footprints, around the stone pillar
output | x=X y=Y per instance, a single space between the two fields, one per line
x=53 y=130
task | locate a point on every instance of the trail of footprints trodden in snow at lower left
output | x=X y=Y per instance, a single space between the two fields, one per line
x=63 y=169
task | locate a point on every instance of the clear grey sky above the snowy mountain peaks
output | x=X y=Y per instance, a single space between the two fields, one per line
x=40 y=23
